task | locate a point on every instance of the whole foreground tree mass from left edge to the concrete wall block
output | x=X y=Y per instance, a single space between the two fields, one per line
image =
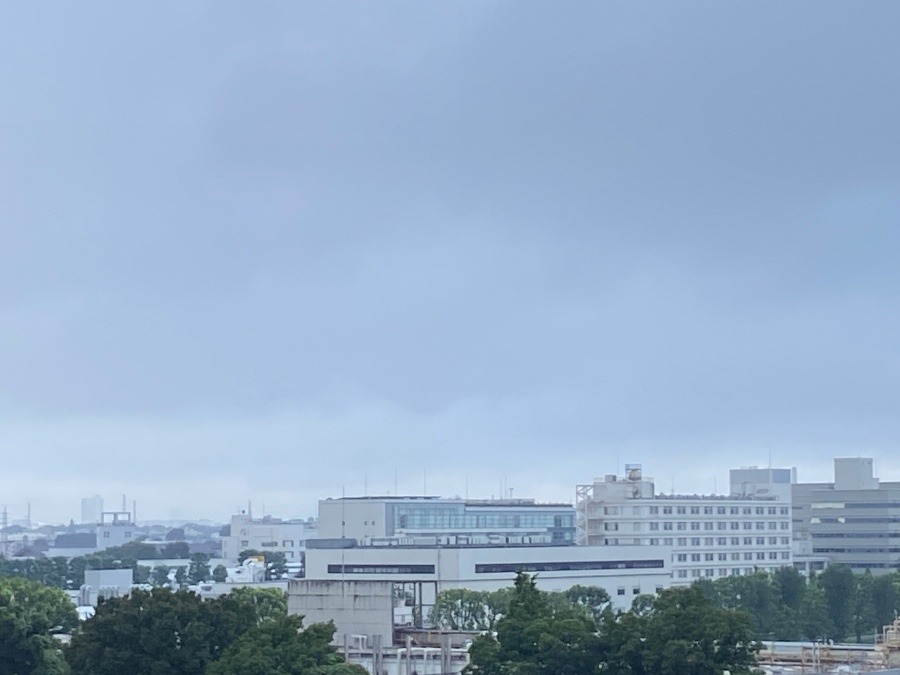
x=161 y=631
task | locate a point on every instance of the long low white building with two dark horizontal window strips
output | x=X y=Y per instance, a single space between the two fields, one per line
x=624 y=571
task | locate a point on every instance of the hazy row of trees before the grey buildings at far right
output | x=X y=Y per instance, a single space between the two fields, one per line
x=835 y=604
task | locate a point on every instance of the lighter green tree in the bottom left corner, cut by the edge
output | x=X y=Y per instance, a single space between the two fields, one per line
x=29 y=613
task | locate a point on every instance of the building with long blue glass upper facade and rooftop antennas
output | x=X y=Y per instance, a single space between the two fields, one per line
x=408 y=519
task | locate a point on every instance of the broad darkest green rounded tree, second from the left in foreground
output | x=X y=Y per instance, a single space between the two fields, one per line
x=157 y=632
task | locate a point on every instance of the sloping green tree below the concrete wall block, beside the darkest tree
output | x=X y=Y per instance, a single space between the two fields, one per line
x=280 y=647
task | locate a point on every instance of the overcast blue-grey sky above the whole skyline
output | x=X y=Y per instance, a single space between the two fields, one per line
x=274 y=251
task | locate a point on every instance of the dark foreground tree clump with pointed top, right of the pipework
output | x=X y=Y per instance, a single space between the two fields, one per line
x=678 y=631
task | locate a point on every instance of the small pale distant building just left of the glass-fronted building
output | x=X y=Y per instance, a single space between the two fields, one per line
x=268 y=534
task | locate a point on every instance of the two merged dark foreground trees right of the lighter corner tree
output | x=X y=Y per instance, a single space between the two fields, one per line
x=247 y=631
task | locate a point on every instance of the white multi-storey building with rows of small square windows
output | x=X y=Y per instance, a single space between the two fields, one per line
x=710 y=536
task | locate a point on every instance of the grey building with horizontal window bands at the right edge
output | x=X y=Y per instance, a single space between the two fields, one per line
x=855 y=520
